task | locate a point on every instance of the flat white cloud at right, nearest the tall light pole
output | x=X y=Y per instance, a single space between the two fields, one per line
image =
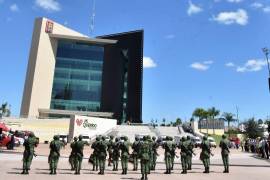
x=252 y=65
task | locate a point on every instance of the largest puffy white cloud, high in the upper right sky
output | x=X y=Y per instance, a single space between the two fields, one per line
x=238 y=17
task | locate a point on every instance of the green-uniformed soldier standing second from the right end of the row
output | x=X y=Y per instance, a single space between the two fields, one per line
x=205 y=154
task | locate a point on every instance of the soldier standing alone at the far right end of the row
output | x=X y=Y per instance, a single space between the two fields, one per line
x=224 y=145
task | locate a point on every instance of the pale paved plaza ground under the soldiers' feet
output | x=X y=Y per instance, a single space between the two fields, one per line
x=244 y=166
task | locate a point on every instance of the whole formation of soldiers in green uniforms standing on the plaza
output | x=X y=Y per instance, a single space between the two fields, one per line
x=144 y=151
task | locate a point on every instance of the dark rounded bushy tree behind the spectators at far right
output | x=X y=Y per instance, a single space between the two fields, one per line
x=252 y=129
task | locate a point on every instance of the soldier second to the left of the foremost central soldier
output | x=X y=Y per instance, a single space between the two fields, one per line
x=124 y=147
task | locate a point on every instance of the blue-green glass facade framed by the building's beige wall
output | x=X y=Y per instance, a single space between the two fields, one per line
x=77 y=77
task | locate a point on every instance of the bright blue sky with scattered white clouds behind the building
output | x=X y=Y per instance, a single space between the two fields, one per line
x=198 y=53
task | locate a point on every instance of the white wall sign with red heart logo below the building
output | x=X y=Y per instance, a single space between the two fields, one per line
x=89 y=126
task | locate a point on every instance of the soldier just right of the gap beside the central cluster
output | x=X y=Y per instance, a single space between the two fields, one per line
x=168 y=149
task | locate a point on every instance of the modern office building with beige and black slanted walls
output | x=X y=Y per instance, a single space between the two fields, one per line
x=70 y=73
